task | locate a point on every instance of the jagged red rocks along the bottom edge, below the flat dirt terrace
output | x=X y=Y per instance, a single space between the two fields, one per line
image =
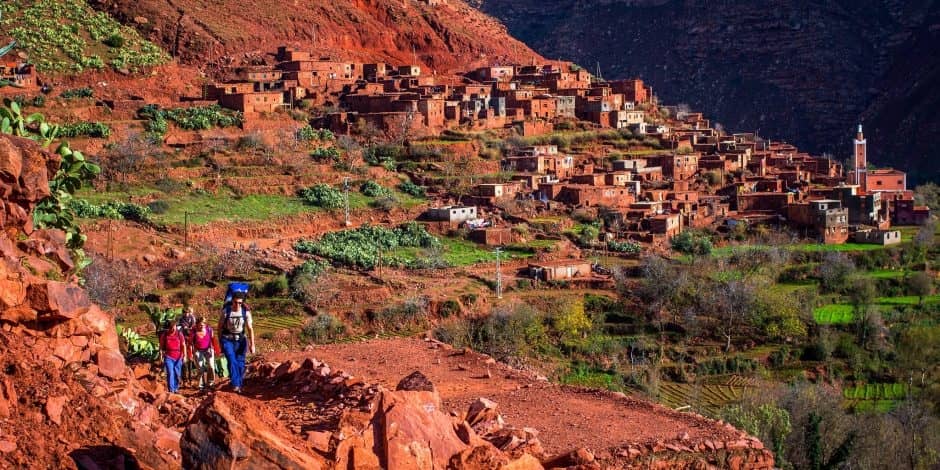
x=313 y=417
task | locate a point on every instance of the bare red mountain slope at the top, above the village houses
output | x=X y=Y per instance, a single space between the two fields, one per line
x=451 y=36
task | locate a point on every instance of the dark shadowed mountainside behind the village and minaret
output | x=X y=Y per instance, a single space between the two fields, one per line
x=800 y=71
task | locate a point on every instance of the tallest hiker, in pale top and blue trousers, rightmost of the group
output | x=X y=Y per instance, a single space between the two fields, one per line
x=236 y=336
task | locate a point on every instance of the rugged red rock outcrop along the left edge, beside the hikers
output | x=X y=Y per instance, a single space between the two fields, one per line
x=67 y=397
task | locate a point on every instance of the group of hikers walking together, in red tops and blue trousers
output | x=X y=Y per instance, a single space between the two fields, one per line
x=189 y=347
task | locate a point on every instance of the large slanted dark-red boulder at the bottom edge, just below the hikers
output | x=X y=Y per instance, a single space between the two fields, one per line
x=226 y=432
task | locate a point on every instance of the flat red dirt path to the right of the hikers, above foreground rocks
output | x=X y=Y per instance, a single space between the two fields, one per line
x=565 y=417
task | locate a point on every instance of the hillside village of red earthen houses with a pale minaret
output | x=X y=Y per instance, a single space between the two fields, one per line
x=696 y=176
